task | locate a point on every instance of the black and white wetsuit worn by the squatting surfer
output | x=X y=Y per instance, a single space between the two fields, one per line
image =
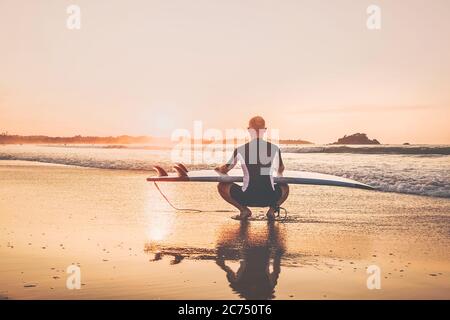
x=259 y=160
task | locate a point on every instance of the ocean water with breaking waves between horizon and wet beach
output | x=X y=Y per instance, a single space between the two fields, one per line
x=411 y=169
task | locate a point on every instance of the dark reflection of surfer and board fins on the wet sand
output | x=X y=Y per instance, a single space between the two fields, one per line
x=256 y=249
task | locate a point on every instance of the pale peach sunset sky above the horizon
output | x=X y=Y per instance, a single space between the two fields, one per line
x=311 y=68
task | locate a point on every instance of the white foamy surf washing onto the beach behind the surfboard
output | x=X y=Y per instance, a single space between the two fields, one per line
x=401 y=173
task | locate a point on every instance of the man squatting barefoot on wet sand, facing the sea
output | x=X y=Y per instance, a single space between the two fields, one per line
x=259 y=159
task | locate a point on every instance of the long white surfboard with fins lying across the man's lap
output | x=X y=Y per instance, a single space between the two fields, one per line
x=236 y=175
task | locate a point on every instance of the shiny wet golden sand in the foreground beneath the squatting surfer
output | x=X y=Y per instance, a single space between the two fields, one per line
x=130 y=244
